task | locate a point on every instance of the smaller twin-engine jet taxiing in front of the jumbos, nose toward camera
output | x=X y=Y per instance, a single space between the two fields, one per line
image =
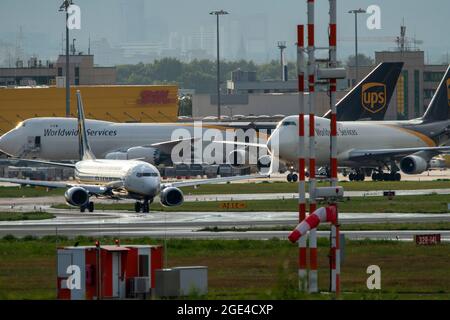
x=115 y=178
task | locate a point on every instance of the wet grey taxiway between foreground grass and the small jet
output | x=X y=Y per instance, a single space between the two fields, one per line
x=190 y=224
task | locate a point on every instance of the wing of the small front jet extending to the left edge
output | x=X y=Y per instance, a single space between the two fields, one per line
x=91 y=188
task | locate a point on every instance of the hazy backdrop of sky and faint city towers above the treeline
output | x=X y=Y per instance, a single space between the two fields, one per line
x=134 y=31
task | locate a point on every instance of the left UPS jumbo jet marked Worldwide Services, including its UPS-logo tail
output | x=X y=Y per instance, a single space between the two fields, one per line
x=57 y=138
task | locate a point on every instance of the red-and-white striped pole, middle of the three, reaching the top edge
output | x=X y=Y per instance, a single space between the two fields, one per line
x=313 y=276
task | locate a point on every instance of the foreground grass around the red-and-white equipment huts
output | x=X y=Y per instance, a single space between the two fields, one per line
x=249 y=269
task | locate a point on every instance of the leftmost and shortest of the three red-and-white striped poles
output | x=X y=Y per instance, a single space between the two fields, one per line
x=302 y=267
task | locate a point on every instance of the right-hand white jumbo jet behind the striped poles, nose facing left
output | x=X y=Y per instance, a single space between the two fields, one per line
x=375 y=144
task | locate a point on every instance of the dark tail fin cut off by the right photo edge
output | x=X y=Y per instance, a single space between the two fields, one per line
x=439 y=107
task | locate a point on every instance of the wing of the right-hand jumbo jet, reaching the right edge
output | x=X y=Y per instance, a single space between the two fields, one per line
x=394 y=153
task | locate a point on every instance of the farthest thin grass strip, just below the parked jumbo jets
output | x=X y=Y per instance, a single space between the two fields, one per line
x=260 y=187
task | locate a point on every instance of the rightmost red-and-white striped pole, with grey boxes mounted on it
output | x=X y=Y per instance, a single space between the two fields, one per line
x=335 y=248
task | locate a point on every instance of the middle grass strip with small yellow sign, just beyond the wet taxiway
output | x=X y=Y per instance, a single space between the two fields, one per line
x=406 y=204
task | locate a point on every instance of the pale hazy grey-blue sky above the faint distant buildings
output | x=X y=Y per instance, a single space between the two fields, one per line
x=42 y=24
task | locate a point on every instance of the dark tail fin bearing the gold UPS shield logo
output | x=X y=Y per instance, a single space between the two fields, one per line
x=370 y=98
